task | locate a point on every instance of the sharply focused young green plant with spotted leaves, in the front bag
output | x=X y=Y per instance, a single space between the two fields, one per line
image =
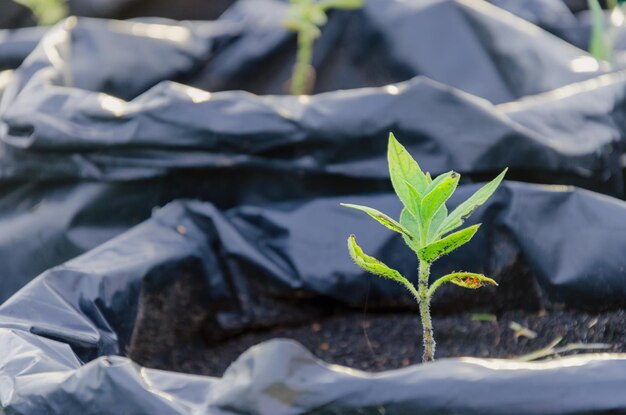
x=425 y=226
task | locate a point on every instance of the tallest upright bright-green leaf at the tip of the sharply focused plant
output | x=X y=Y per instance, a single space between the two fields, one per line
x=404 y=169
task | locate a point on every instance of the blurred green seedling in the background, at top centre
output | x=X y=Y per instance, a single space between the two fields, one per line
x=306 y=17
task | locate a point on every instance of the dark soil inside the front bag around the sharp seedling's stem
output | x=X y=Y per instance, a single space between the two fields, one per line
x=175 y=331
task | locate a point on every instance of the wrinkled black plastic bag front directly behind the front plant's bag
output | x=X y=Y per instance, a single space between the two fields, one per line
x=174 y=147
